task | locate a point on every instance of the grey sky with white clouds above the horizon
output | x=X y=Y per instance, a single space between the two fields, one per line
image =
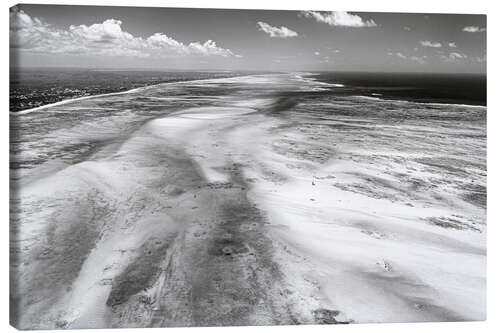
x=219 y=39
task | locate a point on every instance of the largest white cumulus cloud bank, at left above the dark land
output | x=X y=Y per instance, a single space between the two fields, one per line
x=103 y=39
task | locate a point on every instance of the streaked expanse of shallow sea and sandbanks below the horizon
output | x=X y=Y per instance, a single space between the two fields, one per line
x=249 y=199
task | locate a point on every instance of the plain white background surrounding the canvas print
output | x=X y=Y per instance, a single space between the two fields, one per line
x=491 y=8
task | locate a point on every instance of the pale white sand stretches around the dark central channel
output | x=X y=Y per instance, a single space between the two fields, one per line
x=359 y=223
